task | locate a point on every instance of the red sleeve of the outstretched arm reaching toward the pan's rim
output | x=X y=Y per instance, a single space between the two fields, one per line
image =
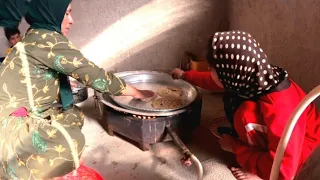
x=202 y=79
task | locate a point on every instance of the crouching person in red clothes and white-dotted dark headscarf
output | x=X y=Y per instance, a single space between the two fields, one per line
x=259 y=99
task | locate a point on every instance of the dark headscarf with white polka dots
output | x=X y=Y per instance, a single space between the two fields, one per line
x=242 y=66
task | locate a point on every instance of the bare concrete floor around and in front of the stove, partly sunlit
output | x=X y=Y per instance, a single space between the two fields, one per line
x=117 y=159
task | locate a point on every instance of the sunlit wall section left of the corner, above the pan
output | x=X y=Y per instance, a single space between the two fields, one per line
x=144 y=34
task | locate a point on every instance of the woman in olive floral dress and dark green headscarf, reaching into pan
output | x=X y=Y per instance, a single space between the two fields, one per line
x=32 y=77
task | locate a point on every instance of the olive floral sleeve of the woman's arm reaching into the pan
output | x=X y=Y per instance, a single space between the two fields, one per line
x=60 y=54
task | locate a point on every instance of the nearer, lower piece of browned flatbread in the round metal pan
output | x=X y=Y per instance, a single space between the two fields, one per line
x=167 y=103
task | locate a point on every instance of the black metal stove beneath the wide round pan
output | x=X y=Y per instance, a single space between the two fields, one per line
x=145 y=130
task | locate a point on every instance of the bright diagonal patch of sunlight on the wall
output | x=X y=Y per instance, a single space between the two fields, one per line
x=138 y=27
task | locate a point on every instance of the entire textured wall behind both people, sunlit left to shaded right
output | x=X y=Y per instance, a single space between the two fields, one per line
x=153 y=34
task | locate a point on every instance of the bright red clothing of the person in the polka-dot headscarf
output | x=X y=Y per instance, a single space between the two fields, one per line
x=260 y=126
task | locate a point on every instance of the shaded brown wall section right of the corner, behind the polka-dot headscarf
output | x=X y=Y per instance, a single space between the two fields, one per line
x=288 y=31
